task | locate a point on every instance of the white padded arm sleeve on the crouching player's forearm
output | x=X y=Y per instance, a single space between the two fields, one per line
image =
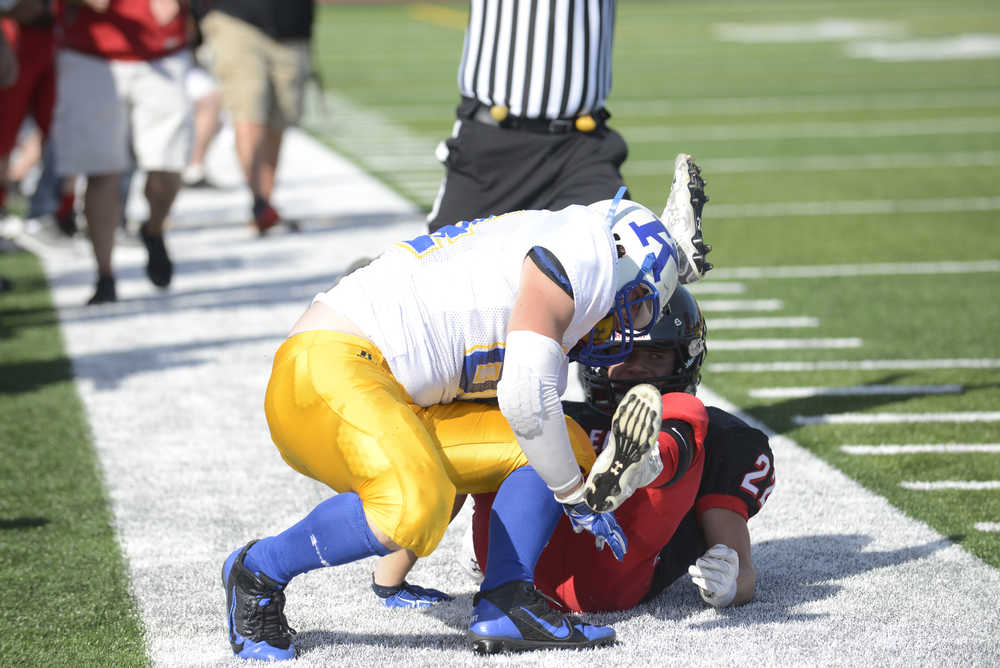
x=534 y=368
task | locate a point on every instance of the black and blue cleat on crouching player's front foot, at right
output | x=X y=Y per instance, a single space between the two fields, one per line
x=517 y=617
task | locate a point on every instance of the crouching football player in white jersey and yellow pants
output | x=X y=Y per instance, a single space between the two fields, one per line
x=373 y=394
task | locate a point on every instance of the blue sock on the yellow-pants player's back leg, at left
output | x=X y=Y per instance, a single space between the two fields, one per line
x=335 y=532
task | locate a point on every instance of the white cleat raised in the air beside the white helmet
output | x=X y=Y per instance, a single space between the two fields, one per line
x=682 y=217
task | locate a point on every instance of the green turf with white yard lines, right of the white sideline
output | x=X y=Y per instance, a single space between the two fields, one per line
x=813 y=158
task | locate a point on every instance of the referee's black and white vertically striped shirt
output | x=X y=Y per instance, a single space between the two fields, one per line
x=539 y=58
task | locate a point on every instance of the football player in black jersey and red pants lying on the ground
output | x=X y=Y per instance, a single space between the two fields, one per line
x=695 y=521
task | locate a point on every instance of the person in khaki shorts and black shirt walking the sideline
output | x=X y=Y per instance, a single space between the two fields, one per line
x=261 y=57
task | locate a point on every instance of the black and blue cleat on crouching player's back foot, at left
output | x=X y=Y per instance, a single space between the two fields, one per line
x=255 y=616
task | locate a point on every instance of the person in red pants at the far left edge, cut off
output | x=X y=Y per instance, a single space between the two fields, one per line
x=31 y=91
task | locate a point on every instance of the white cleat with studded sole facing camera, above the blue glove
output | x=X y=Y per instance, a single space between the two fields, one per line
x=631 y=458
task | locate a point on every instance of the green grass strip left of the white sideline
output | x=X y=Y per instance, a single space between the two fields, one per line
x=65 y=599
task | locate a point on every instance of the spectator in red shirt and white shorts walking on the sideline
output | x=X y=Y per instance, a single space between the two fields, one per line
x=121 y=70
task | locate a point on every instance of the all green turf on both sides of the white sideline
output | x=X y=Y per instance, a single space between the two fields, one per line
x=815 y=159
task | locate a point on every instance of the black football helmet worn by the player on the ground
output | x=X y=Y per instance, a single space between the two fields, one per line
x=680 y=328
